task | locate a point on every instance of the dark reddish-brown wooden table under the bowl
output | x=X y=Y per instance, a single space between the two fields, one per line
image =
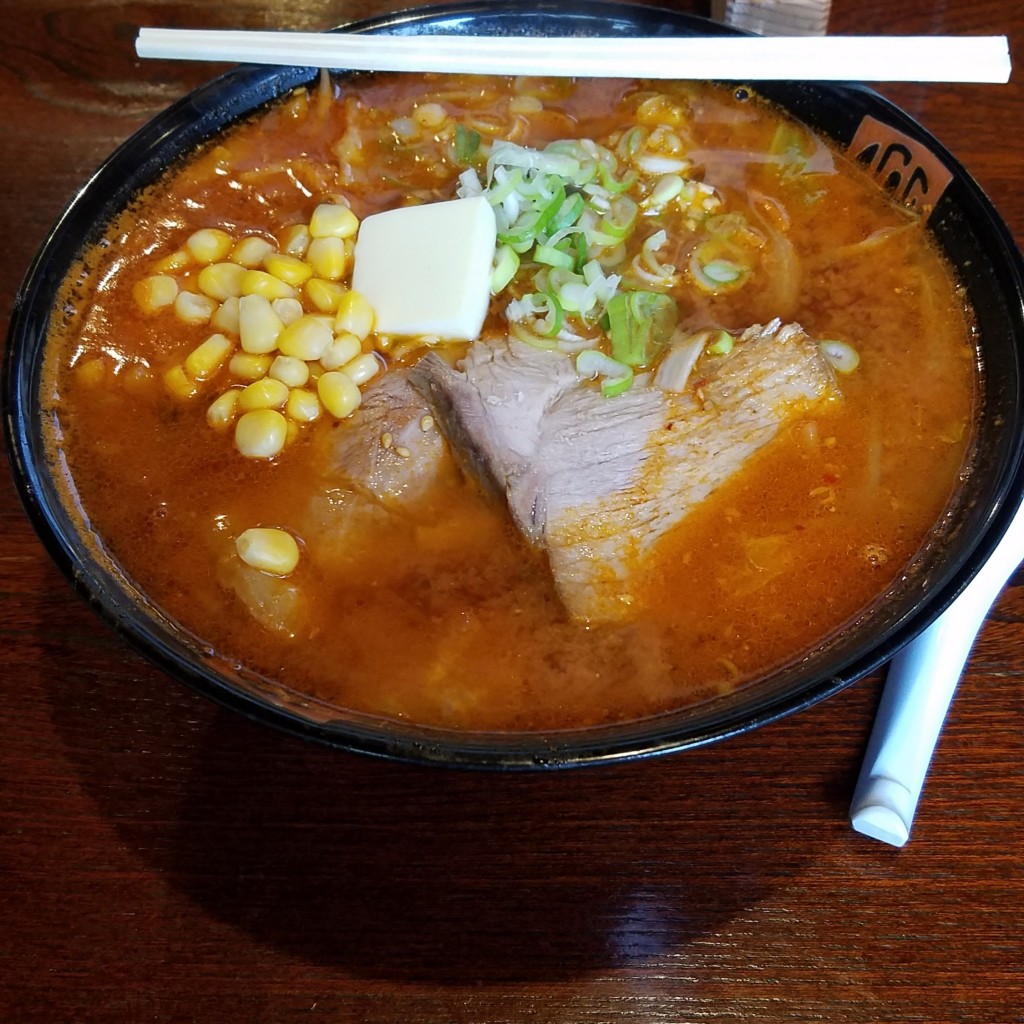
x=163 y=861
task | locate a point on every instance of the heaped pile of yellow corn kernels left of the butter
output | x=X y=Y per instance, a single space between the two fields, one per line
x=289 y=342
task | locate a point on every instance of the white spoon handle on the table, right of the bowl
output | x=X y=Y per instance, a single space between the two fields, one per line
x=919 y=689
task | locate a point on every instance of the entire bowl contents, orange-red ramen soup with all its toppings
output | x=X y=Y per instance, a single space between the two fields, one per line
x=722 y=392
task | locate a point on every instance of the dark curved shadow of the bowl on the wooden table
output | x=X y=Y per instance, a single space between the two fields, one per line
x=399 y=873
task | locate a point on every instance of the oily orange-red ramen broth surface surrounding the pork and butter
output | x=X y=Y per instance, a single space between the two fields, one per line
x=438 y=611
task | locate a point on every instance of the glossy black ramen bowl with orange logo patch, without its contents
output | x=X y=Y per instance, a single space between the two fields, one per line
x=906 y=160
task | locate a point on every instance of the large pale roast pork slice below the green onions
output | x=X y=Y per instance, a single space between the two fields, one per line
x=598 y=482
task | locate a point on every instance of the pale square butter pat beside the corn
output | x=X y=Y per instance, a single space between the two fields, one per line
x=426 y=270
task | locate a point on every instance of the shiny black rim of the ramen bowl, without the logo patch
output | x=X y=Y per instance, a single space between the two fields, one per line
x=148 y=631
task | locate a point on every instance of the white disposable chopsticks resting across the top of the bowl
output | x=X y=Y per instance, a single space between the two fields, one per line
x=821 y=59
